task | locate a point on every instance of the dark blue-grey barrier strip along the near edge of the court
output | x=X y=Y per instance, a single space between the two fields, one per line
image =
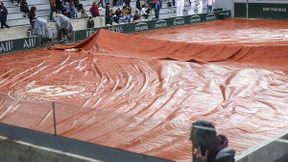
x=94 y=151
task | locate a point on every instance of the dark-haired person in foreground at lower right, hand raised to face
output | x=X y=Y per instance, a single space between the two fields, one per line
x=206 y=146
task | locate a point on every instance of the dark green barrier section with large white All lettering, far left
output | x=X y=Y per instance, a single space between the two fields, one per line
x=19 y=44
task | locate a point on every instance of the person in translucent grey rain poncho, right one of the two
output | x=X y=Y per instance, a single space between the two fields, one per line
x=64 y=27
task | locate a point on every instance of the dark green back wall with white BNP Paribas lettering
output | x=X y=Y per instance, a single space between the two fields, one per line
x=265 y=9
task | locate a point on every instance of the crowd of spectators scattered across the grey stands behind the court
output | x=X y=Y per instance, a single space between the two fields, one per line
x=122 y=14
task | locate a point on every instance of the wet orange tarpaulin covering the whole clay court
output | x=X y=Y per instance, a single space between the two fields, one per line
x=141 y=92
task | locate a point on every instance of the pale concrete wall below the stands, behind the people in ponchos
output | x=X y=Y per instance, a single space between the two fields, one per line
x=21 y=31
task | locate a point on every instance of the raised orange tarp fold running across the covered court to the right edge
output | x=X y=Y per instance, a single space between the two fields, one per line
x=109 y=43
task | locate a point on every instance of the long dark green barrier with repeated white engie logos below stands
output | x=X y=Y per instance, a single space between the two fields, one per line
x=155 y=24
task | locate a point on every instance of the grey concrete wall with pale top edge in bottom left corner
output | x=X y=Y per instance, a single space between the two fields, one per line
x=17 y=151
